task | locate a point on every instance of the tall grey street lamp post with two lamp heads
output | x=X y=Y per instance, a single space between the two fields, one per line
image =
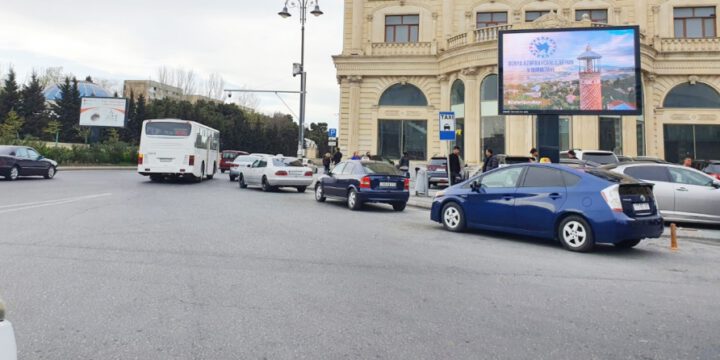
x=302 y=6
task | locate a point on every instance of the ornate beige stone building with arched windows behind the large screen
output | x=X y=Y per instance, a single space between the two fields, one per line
x=404 y=61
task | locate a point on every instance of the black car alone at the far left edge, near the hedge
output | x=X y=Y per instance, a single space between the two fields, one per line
x=17 y=161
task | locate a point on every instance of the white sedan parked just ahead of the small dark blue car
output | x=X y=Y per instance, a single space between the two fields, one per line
x=275 y=172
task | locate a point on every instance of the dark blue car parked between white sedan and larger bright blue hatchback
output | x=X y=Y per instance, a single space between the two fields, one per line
x=360 y=182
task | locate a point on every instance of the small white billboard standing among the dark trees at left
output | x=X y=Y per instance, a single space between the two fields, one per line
x=106 y=112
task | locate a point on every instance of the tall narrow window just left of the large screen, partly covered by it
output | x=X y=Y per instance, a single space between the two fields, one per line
x=493 y=124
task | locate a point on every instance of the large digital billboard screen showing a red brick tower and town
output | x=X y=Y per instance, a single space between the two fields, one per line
x=588 y=71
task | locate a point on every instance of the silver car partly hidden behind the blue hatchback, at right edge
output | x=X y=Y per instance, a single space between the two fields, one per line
x=683 y=194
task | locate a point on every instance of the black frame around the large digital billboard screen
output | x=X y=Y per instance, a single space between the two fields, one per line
x=638 y=76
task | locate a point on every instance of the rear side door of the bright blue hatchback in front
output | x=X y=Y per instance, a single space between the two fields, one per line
x=539 y=199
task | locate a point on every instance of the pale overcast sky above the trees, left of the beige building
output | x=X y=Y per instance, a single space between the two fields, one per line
x=243 y=40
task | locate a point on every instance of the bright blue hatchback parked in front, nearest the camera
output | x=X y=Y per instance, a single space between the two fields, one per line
x=579 y=208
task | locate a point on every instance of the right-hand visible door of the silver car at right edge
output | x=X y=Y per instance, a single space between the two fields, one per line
x=695 y=196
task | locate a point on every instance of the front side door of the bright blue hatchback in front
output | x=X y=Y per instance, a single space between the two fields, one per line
x=492 y=203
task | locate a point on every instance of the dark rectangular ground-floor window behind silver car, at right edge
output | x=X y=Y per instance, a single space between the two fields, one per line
x=701 y=142
